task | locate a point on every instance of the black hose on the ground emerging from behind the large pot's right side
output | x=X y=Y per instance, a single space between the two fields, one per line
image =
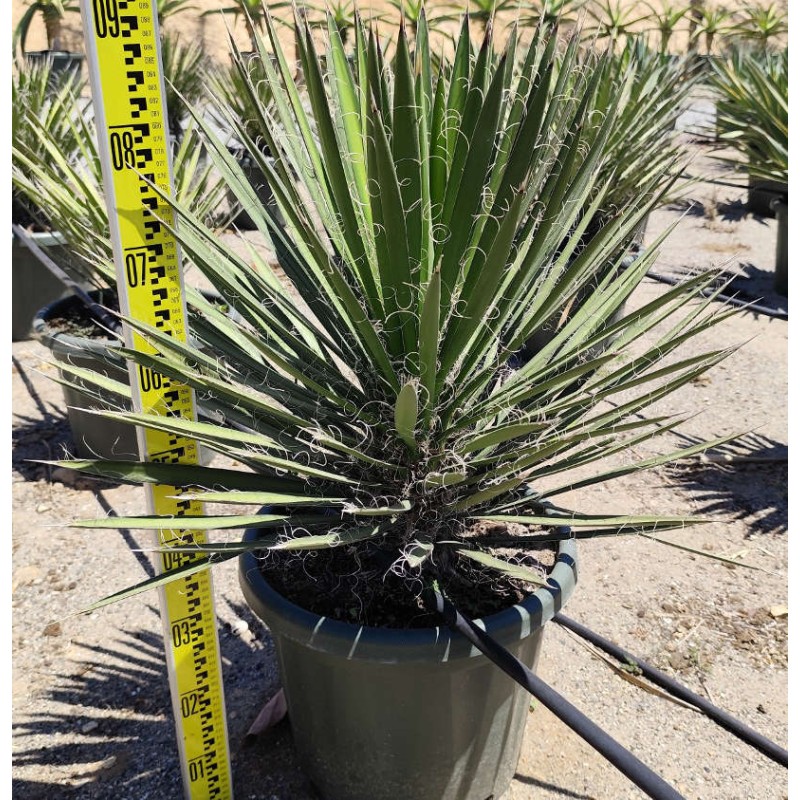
x=657 y=677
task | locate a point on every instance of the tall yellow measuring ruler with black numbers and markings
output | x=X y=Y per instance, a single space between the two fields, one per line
x=127 y=87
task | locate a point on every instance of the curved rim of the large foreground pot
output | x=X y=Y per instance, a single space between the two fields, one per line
x=349 y=640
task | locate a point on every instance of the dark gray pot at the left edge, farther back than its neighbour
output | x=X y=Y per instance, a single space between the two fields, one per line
x=32 y=284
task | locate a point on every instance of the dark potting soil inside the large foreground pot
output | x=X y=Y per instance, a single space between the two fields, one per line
x=358 y=584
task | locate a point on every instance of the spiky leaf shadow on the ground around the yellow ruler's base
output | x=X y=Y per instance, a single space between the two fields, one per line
x=107 y=723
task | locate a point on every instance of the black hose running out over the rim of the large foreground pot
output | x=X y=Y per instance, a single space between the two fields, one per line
x=647 y=780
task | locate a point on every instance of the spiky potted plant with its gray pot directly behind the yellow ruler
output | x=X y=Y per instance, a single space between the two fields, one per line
x=64 y=186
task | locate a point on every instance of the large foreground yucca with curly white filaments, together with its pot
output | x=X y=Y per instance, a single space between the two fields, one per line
x=366 y=395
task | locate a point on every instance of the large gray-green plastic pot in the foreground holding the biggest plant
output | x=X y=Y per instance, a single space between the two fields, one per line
x=385 y=714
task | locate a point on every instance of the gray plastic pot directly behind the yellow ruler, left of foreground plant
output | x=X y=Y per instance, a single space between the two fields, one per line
x=93 y=436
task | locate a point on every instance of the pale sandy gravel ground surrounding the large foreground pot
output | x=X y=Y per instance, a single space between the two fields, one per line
x=90 y=698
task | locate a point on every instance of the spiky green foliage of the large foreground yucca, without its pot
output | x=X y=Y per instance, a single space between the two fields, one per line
x=366 y=392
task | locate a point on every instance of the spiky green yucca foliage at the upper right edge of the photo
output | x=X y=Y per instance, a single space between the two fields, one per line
x=753 y=111
